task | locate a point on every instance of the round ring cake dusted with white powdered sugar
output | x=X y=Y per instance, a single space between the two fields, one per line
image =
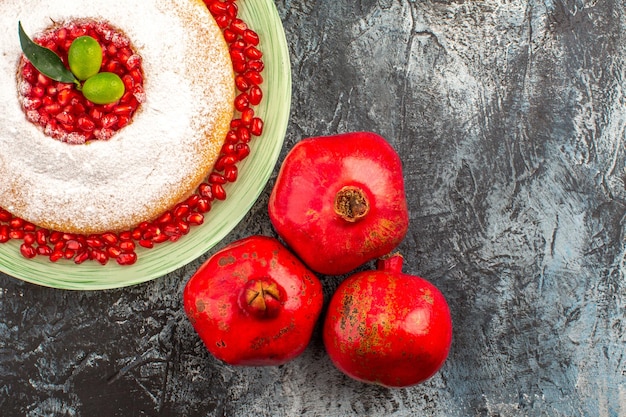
x=147 y=166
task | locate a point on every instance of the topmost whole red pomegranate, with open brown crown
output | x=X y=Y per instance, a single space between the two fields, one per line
x=339 y=201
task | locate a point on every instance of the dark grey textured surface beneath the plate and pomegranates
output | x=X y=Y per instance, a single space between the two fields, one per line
x=509 y=116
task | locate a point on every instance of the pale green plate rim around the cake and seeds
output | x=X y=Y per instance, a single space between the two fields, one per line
x=254 y=172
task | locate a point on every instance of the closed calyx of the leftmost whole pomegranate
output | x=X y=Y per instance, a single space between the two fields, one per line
x=262 y=297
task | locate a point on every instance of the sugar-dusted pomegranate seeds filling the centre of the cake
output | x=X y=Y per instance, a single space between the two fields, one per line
x=60 y=109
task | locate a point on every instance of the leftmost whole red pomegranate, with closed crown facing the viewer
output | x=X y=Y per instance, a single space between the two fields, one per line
x=240 y=329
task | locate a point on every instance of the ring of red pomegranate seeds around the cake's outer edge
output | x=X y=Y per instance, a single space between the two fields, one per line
x=173 y=224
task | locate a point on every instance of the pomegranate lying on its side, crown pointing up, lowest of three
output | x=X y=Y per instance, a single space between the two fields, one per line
x=388 y=328
